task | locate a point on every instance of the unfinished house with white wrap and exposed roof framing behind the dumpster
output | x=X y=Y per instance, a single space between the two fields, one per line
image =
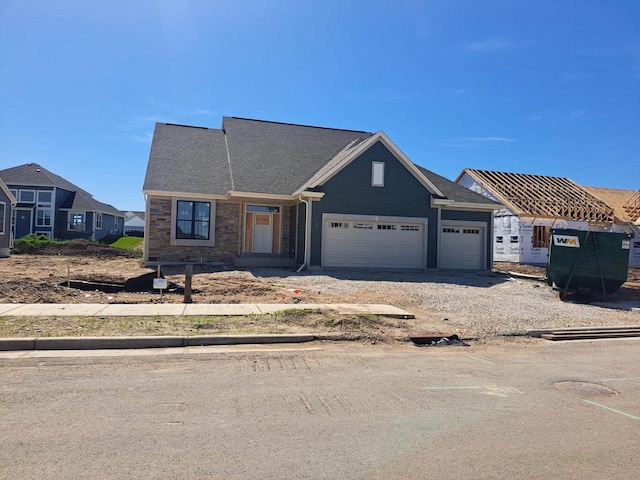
x=533 y=204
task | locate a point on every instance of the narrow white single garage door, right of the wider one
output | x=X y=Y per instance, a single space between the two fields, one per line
x=462 y=247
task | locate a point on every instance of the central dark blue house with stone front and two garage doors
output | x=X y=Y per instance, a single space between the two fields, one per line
x=267 y=193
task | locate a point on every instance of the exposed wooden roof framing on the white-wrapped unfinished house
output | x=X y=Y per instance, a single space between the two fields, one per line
x=541 y=196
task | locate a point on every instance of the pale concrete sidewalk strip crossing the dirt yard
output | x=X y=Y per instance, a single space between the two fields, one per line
x=170 y=309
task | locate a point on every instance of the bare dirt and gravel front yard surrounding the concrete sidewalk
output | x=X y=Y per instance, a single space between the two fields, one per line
x=480 y=304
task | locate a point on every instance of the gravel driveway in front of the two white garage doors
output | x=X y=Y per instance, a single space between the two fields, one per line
x=474 y=304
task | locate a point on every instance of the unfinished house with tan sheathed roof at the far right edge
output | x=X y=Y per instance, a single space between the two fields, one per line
x=626 y=208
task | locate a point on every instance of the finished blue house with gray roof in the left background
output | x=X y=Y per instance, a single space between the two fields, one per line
x=50 y=205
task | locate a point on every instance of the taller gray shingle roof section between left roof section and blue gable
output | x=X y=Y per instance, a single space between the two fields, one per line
x=278 y=158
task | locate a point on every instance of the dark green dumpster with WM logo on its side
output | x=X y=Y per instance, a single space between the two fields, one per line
x=587 y=262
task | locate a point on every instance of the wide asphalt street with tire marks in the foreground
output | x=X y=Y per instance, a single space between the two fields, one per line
x=326 y=411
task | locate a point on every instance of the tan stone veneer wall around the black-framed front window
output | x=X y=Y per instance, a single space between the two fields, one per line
x=158 y=237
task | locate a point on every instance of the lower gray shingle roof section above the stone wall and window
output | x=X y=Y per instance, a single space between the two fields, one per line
x=188 y=159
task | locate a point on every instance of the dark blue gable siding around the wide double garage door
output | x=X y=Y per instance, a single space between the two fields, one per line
x=350 y=192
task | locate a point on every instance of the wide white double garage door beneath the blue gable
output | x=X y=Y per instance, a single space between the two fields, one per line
x=372 y=244
